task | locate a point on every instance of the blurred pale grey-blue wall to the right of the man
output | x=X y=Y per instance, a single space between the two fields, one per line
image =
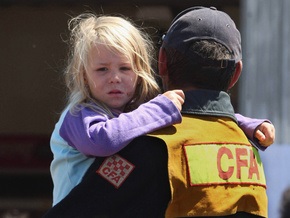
x=264 y=90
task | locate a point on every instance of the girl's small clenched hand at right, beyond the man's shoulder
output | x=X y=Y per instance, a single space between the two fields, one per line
x=265 y=133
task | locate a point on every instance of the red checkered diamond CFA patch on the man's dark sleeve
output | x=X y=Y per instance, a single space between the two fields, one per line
x=115 y=169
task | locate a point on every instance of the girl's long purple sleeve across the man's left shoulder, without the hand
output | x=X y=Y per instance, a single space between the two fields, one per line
x=95 y=135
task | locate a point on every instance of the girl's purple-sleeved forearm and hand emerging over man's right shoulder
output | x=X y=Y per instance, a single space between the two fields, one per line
x=260 y=131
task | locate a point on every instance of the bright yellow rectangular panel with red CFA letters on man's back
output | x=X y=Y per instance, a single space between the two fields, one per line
x=210 y=164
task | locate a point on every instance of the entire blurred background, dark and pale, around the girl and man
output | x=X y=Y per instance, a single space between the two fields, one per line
x=33 y=55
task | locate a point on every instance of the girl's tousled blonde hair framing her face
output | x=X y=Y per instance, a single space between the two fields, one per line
x=120 y=36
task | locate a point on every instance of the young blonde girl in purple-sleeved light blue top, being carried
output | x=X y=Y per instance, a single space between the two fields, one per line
x=109 y=73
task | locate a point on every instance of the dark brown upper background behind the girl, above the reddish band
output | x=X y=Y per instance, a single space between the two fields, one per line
x=33 y=52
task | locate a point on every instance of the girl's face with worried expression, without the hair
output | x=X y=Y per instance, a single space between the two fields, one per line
x=110 y=78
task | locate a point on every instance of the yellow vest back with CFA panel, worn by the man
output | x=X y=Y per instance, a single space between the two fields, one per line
x=213 y=169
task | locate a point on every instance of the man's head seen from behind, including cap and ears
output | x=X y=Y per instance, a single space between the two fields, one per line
x=202 y=49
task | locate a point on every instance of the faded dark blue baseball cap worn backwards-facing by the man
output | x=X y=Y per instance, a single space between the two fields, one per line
x=199 y=23
